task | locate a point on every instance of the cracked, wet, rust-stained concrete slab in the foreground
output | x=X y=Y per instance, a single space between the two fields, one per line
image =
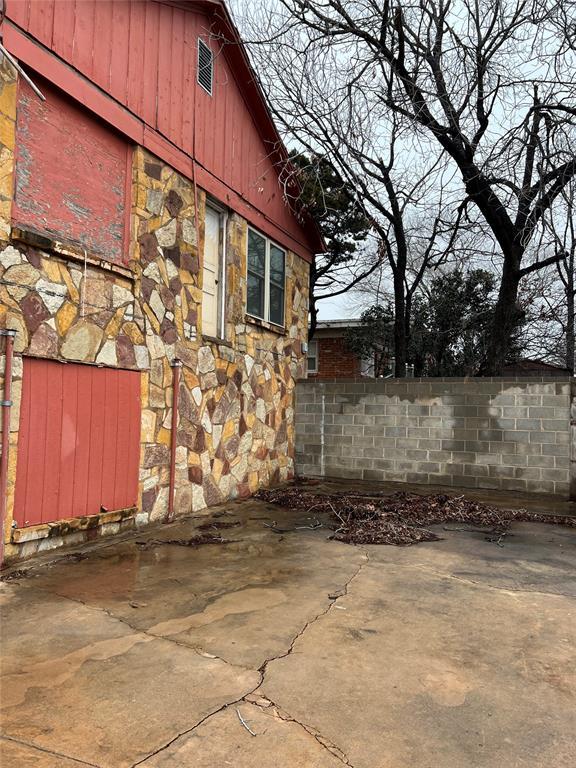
x=288 y=649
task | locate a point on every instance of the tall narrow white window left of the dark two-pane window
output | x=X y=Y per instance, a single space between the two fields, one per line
x=213 y=272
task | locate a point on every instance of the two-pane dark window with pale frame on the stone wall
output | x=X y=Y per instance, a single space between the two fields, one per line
x=266 y=274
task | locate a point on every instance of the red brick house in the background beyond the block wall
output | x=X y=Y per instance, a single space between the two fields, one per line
x=329 y=357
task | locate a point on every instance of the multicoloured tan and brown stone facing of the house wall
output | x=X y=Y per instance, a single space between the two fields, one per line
x=236 y=415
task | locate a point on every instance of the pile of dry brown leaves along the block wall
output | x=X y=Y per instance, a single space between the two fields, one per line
x=403 y=518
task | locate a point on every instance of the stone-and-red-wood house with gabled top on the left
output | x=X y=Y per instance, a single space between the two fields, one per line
x=153 y=279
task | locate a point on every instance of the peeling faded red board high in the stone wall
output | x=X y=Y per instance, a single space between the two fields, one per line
x=70 y=174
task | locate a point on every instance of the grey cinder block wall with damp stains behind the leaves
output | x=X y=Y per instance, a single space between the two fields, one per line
x=511 y=434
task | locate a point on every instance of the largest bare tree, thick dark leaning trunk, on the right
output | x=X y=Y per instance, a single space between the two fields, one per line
x=486 y=82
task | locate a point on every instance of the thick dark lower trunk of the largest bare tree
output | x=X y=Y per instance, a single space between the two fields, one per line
x=505 y=318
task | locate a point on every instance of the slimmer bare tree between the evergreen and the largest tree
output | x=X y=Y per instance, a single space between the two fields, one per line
x=395 y=181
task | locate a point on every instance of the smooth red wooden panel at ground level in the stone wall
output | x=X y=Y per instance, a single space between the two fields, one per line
x=79 y=441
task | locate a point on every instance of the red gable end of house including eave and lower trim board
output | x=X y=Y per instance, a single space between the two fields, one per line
x=133 y=67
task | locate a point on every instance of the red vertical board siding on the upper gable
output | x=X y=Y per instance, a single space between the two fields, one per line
x=143 y=53
